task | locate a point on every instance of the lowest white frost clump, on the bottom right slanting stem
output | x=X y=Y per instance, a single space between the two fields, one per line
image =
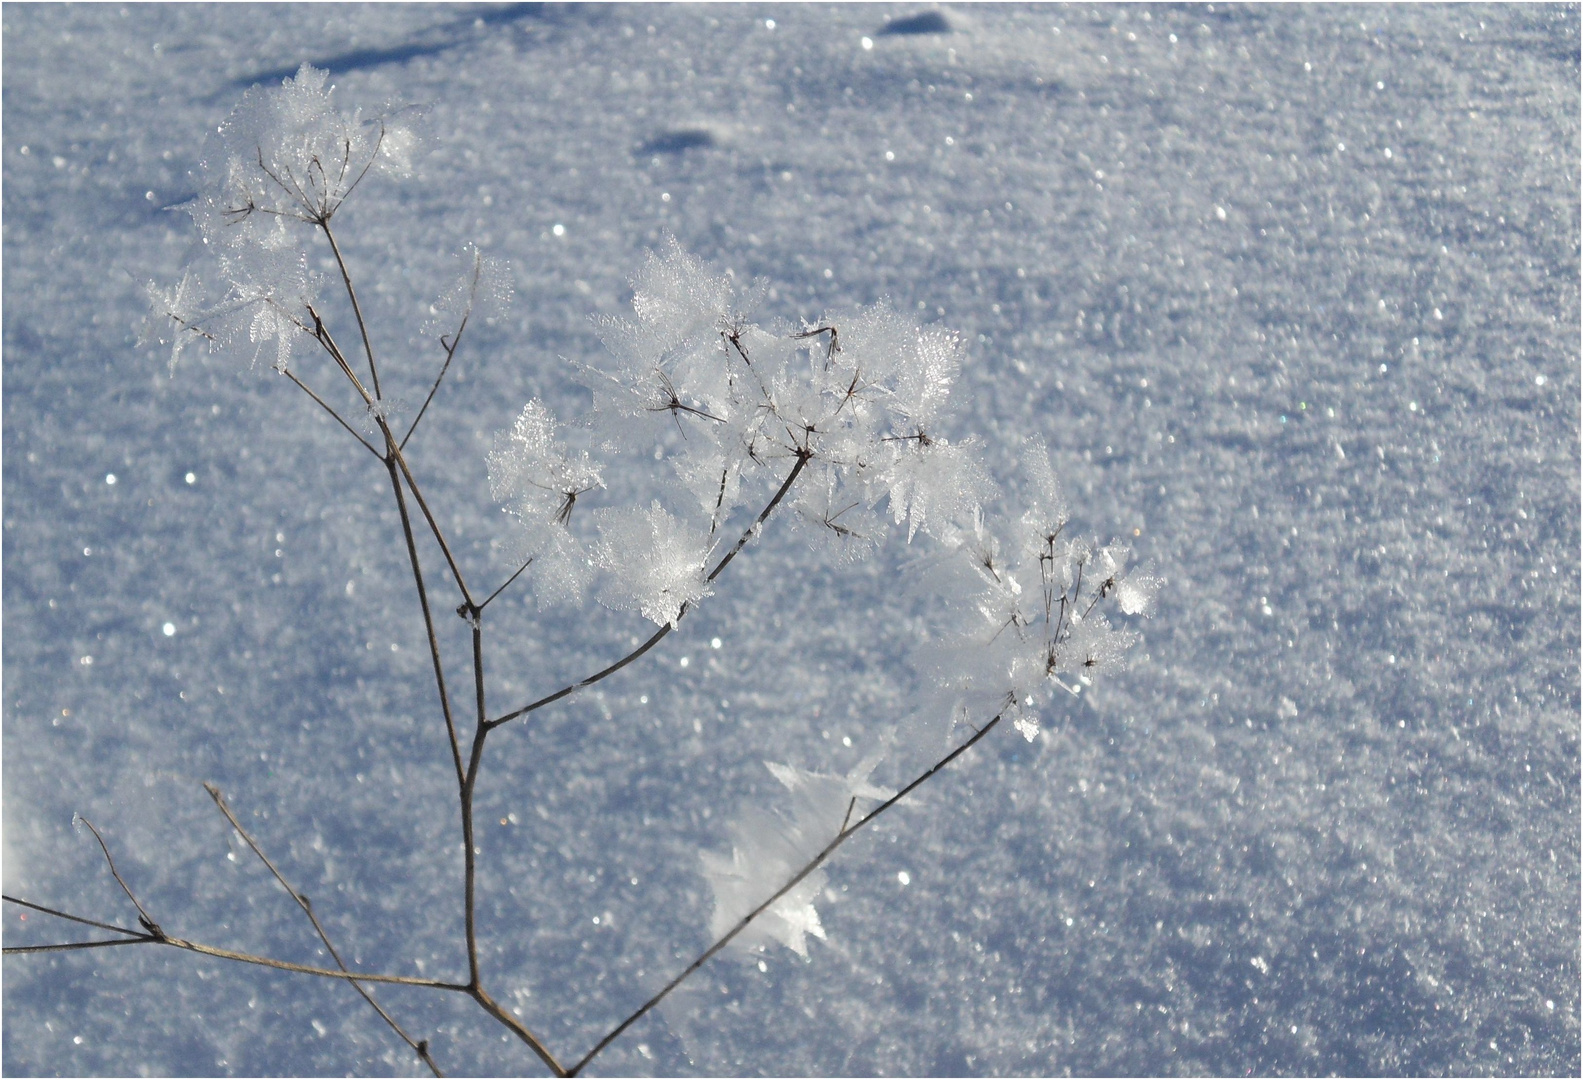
x=769 y=850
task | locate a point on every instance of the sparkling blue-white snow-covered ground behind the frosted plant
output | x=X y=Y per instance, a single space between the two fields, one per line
x=1293 y=294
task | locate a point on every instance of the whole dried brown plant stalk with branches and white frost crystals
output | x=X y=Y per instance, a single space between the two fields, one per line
x=838 y=425
